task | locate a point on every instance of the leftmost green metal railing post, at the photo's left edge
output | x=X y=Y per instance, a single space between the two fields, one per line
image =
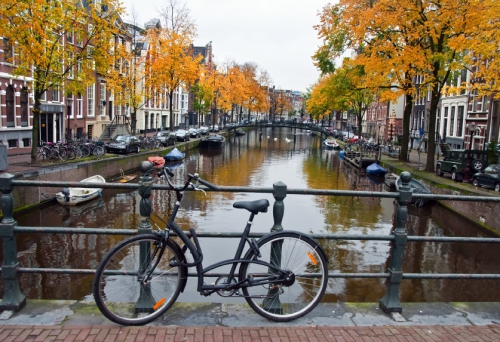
x=13 y=299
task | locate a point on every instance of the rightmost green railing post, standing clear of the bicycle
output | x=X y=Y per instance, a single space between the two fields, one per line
x=390 y=302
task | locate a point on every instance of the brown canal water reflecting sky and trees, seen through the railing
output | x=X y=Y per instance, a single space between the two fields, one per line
x=259 y=159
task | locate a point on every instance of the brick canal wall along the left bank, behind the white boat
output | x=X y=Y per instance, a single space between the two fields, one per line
x=28 y=197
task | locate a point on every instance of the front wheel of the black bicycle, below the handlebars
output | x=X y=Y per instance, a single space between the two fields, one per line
x=116 y=285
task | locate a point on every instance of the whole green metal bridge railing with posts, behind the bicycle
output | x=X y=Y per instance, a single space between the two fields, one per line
x=14 y=299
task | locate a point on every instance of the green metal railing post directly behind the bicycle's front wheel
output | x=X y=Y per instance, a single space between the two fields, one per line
x=145 y=186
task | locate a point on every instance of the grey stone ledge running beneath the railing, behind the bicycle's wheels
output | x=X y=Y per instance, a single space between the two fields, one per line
x=77 y=313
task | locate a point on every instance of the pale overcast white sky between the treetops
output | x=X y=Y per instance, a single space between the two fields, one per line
x=277 y=35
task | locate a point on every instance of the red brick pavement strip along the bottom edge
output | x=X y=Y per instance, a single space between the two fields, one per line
x=223 y=334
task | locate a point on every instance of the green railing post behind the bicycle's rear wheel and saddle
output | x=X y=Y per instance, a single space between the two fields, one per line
x=273 y=305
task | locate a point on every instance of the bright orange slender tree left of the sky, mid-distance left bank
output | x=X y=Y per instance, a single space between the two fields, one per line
x=170 y=64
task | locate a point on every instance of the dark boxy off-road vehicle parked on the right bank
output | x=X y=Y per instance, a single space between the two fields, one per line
x=455 y=162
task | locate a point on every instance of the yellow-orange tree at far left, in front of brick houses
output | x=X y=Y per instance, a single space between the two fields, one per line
x=59 y=44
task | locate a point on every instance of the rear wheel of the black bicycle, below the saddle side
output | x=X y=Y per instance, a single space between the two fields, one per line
x=299 y=254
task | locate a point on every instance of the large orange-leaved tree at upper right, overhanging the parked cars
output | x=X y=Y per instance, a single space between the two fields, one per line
x=408 y=38
